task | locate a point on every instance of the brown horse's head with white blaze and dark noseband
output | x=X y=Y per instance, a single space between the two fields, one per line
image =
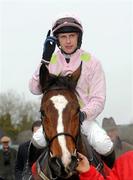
x=60 y=120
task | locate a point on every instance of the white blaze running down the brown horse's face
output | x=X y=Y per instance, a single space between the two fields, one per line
x=60 y=103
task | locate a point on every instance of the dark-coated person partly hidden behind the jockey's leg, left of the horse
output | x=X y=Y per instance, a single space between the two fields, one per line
x=23 y=154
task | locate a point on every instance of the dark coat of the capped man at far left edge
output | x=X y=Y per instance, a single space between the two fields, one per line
x=7 y=164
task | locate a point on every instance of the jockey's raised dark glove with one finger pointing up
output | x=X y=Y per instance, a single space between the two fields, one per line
x=49 y=47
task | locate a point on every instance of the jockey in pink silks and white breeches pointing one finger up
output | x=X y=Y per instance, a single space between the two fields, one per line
x=67 y=32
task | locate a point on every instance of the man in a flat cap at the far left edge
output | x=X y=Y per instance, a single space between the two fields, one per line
x=7 y=159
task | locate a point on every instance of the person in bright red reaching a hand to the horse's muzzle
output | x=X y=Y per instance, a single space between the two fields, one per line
x=122 y=169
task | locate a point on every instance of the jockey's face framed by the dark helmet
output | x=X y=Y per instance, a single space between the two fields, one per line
x=68 y=41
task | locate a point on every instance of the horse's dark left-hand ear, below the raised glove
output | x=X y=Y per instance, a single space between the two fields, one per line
x=43 y=75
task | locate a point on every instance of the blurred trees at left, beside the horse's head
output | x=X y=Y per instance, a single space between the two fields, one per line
x=16 y=113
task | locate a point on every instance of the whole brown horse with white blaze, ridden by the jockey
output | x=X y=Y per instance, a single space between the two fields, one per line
x=60 y=113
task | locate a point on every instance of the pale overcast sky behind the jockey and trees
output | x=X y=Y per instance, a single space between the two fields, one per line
x=108 y=35
